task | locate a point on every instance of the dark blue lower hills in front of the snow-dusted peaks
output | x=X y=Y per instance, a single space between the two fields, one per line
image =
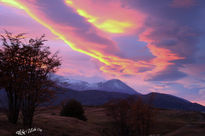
x=158 y=100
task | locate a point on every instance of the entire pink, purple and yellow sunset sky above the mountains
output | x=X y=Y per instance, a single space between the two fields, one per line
x=152 y=45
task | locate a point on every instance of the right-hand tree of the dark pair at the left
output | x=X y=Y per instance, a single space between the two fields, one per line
x=39 y=64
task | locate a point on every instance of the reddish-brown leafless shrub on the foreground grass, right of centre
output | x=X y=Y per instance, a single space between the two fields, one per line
x=131 y=117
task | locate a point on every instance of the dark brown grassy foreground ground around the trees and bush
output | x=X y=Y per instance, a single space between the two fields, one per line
x=167 y=123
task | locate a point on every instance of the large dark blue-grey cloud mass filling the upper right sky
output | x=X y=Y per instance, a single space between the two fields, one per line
x=174 y=28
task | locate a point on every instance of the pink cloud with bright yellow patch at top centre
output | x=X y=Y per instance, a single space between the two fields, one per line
x=112 y=19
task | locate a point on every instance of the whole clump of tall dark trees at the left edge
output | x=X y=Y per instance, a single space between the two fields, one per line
x=26 y=67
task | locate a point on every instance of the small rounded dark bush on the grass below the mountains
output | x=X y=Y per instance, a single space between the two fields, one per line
x=74 y=109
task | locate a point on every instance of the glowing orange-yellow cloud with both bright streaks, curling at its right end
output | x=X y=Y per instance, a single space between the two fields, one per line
x=114 y=19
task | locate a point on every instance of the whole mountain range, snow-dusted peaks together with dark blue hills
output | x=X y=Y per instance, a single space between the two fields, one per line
x=94 y=94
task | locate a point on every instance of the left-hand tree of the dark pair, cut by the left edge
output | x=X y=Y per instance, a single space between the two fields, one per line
x=10 y=76
